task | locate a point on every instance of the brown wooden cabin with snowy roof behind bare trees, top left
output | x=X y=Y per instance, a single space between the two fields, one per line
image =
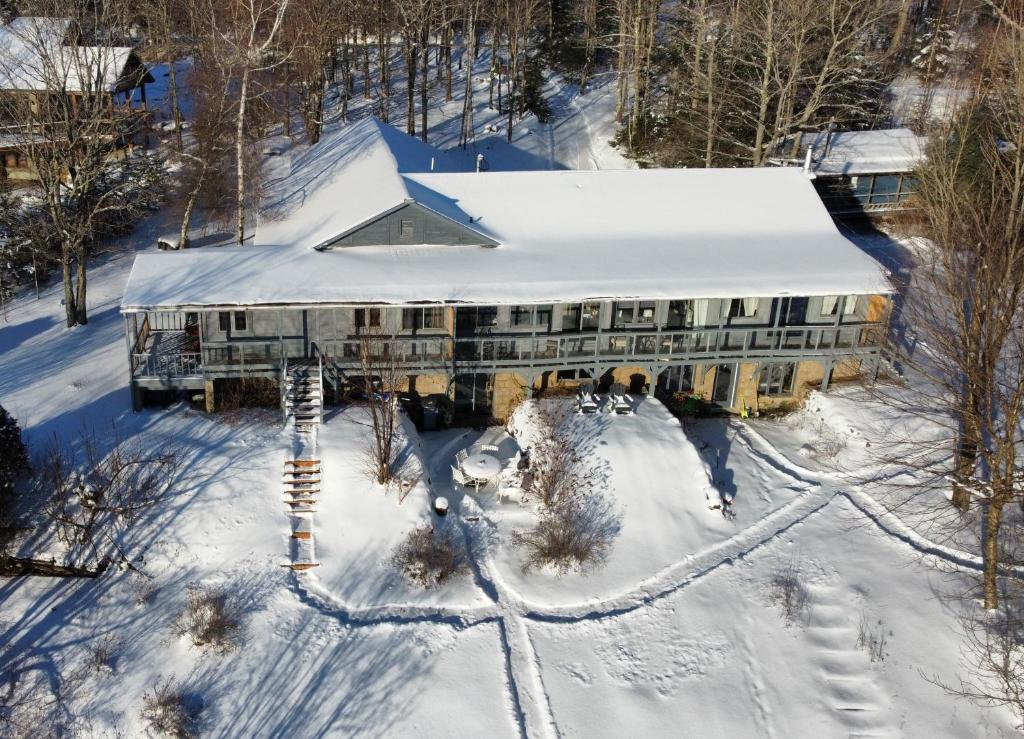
x=44 y=66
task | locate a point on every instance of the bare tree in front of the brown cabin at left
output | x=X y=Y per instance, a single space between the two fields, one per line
x=63 y=118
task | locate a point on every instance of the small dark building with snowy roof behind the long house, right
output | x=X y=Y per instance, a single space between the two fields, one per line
x=865 y=172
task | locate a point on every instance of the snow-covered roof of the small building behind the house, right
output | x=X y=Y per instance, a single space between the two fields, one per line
x=854 y=153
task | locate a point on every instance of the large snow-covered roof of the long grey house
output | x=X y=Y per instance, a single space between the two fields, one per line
x=563 y=236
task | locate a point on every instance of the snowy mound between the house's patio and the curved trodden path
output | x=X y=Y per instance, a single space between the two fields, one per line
x=656 y=477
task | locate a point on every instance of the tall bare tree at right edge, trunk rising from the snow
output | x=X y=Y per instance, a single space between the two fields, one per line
x=967 y=308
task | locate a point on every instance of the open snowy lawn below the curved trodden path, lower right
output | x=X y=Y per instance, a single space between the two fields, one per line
x=716 y=657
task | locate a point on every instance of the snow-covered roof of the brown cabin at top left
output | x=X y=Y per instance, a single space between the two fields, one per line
x=35 y=58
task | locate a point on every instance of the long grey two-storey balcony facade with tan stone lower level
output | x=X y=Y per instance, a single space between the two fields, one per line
x=513 y=360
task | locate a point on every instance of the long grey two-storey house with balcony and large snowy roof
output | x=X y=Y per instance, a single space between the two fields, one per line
x=734 y=285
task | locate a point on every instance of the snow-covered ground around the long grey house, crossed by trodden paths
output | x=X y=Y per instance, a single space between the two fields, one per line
x=680 y=635
